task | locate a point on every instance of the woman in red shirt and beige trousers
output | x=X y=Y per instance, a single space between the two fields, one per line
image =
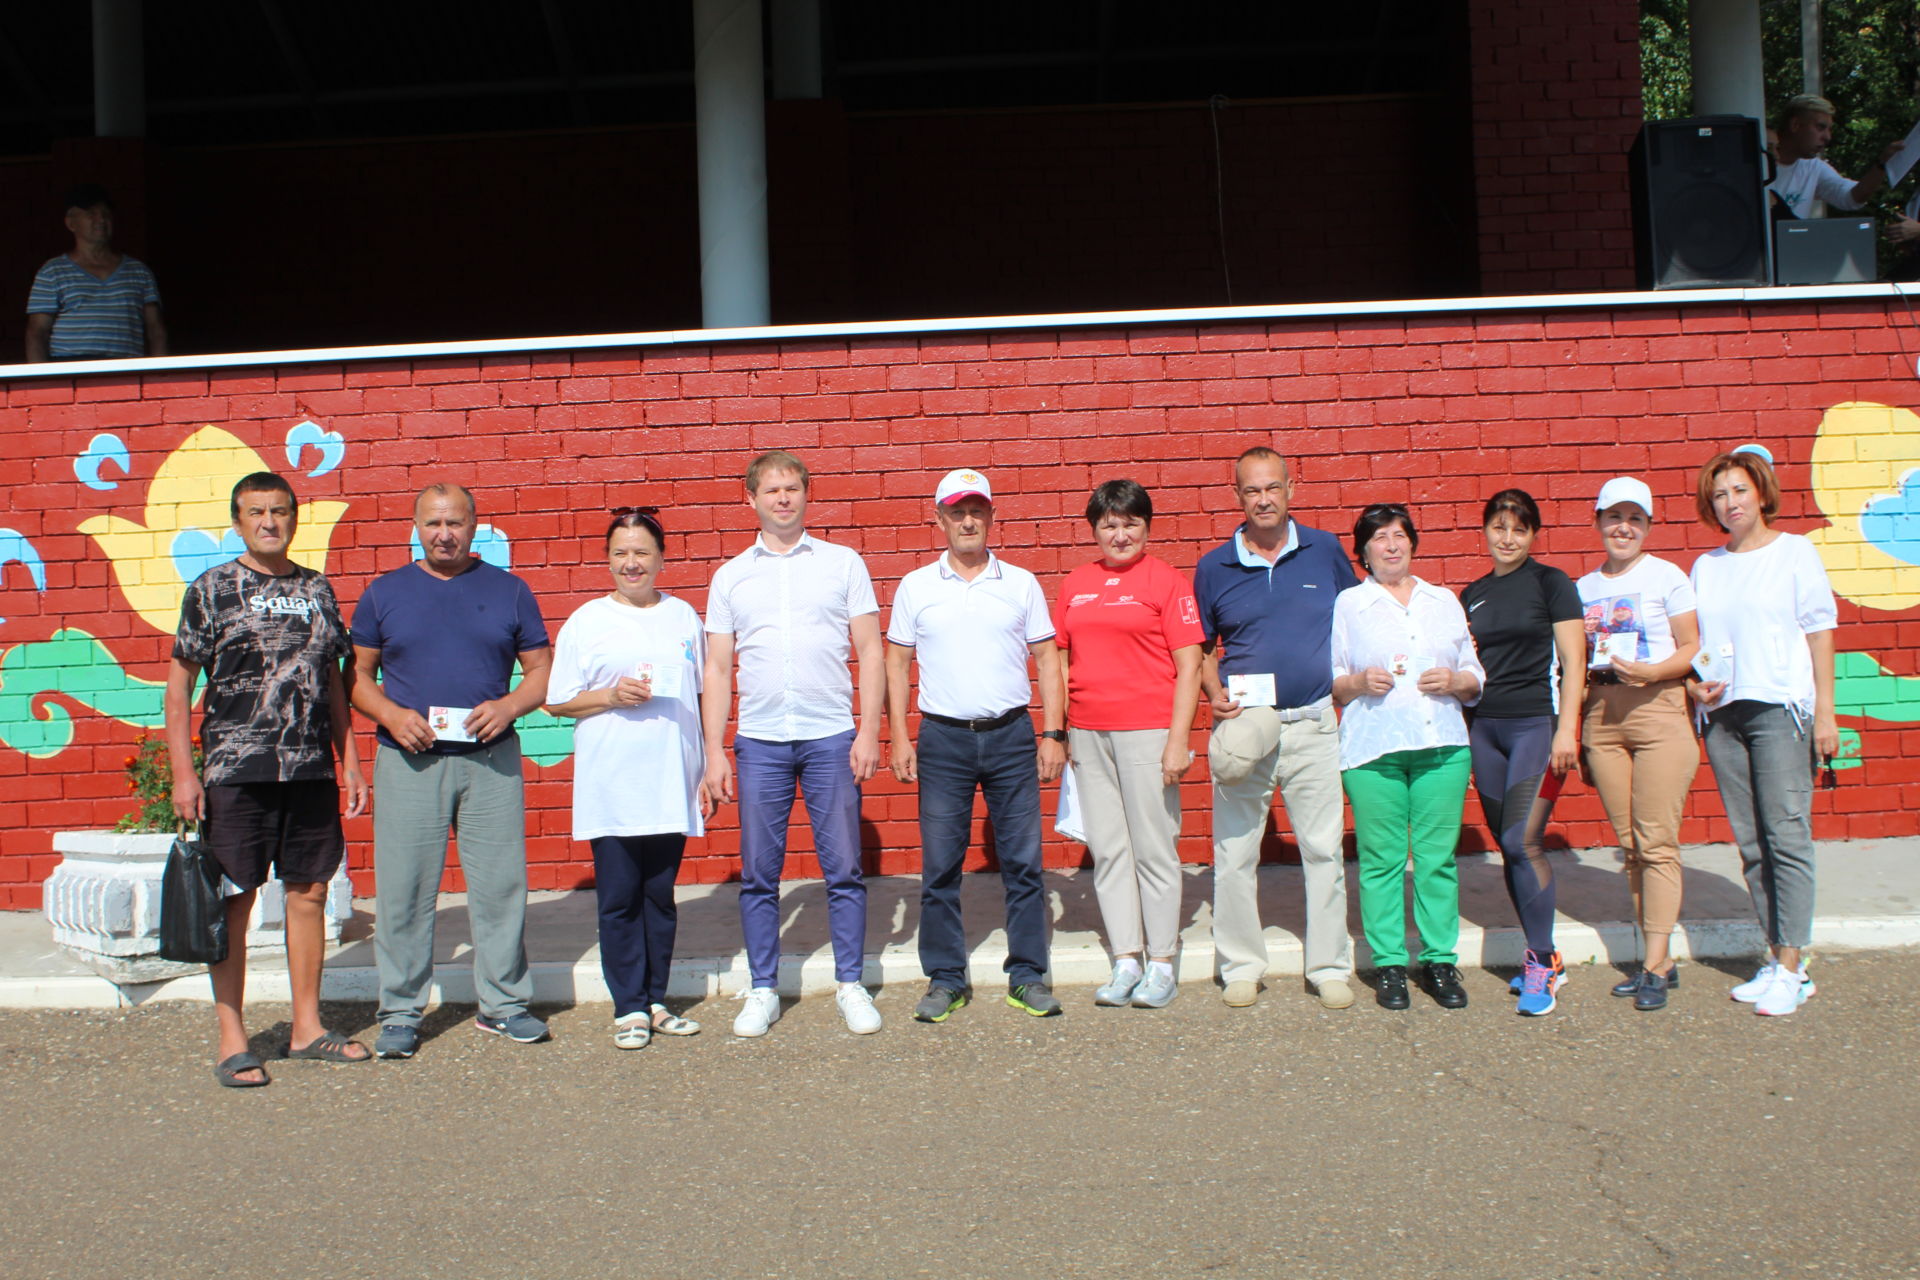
x=1130 y=653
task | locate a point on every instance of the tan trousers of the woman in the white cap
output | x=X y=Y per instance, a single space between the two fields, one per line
x=1643 y=755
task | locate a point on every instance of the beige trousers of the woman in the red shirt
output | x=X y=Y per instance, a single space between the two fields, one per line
x=1132 y=830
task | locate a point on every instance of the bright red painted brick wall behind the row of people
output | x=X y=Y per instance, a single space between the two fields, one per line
x=1437 y=410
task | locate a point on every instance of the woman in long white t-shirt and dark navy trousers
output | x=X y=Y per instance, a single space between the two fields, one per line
x=629 y=671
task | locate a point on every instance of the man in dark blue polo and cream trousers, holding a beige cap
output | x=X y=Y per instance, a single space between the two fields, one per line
x=1266 y=602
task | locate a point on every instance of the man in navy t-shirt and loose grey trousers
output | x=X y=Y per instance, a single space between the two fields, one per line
x=444 y=634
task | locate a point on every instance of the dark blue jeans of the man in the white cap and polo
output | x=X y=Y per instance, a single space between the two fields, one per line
x=1005 y=767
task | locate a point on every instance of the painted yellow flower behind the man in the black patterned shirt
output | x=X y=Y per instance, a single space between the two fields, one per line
x=189 y=527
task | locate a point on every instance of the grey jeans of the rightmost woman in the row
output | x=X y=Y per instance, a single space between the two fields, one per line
x=1764 y=763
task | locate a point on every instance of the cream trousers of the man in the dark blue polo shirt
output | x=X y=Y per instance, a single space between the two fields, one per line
x=1307 y=770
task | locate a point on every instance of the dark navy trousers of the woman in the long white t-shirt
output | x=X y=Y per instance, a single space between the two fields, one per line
x=635 y=888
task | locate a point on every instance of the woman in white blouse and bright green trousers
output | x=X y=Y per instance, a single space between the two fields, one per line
x=1404 y=665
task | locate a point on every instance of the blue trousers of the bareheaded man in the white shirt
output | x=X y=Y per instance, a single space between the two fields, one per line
x=767 y=782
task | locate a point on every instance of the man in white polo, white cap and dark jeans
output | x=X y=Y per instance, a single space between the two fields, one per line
x=972 y=621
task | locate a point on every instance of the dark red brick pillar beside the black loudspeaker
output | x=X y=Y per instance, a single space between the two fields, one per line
x=1556 y=107
